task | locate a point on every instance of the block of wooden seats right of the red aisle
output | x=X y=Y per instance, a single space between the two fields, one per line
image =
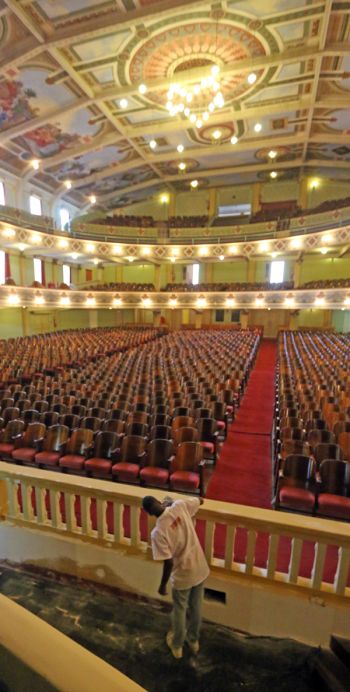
x=312 y=463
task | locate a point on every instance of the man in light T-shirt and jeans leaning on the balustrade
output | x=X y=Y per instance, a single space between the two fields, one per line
x=175 y=541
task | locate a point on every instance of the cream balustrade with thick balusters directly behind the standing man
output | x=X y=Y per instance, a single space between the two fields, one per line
x=259 y=544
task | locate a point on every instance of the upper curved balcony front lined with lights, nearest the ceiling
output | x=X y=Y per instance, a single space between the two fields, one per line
x=44 y=239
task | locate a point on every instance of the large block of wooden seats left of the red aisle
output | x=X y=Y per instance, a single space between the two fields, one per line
x=126 y=405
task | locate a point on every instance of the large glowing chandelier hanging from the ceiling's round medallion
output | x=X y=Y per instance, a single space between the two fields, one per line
x=198 y=101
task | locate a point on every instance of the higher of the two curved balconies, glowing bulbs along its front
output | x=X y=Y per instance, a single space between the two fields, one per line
x=31 y=234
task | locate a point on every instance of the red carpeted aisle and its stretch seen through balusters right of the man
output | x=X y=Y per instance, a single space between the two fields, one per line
x=243 y=474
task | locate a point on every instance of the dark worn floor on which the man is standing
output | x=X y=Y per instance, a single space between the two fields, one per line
x=129 y=633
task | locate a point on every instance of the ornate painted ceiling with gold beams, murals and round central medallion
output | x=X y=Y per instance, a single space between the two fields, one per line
x=70 y=97
